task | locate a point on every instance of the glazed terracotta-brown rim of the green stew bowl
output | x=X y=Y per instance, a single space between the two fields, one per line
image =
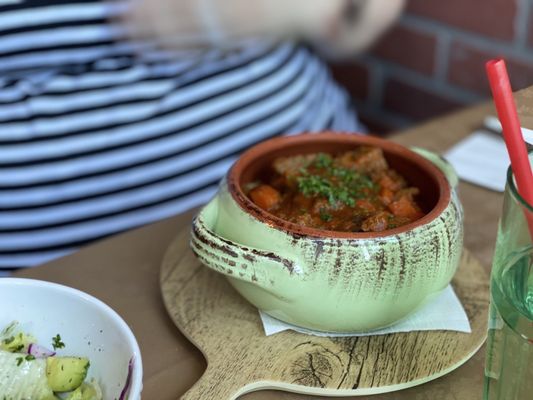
x=271 y=145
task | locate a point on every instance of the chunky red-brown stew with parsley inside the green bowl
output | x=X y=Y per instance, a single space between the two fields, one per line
x=354 y=191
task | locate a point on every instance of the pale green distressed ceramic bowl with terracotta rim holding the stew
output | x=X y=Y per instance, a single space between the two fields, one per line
x=326 y=280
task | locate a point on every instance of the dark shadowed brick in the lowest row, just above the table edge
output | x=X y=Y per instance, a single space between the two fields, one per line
x=414 y=102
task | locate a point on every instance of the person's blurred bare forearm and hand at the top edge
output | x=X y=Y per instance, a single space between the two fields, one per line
x=346 y=25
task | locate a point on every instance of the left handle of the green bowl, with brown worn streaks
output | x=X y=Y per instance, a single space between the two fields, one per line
x=259 y=267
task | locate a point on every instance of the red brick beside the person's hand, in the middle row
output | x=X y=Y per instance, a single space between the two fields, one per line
x=409 y=48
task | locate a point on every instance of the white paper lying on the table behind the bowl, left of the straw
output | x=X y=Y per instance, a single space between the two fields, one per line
x=482 y=159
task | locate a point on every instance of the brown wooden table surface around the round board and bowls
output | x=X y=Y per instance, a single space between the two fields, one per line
x=123 y=271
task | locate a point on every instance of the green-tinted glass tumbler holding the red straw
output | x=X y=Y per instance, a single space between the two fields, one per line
x=509 y=358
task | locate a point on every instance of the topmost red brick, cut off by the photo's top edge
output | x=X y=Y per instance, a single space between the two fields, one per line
x=494 y=18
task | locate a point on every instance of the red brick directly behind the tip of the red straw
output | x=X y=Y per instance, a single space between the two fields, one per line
x=467 y=69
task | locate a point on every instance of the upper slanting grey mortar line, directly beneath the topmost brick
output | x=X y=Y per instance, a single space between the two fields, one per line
x=478 y=41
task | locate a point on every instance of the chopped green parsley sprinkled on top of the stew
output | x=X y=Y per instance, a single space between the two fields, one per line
x=335 y=183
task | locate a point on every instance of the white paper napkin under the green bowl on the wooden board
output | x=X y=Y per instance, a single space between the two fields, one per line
x=445 y=312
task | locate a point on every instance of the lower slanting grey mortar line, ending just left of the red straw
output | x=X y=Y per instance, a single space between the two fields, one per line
x=423 y=82
